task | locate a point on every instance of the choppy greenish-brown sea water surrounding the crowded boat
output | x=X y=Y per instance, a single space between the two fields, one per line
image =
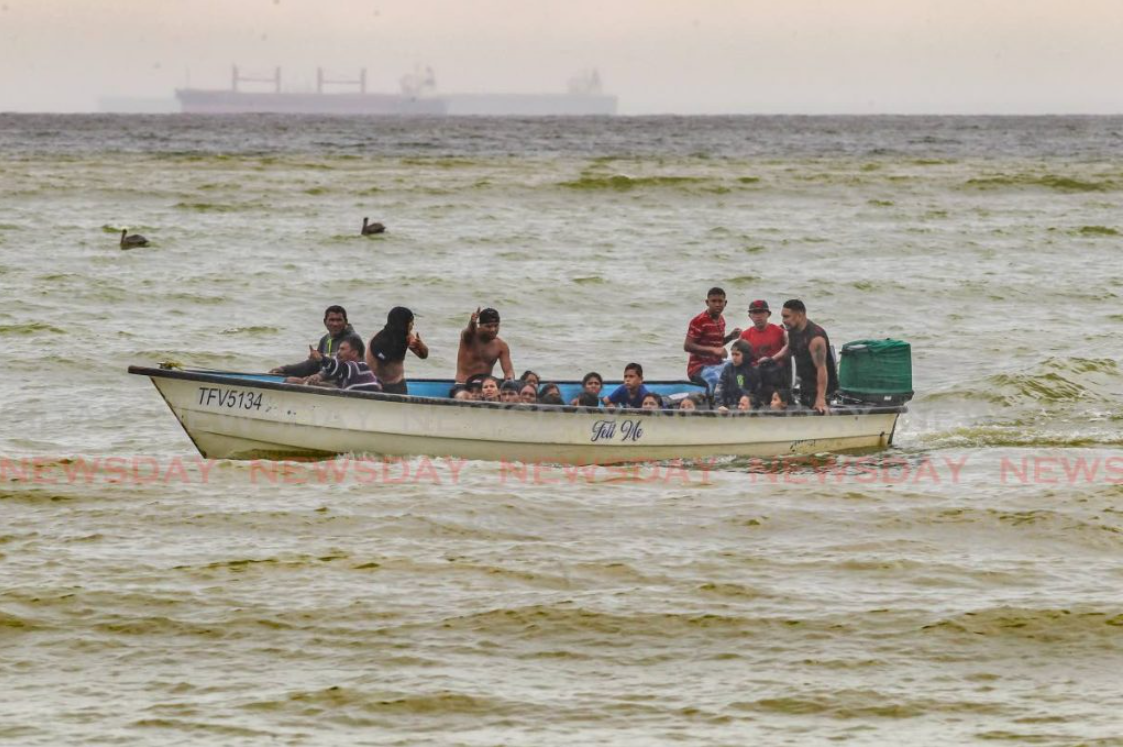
x=961 y=587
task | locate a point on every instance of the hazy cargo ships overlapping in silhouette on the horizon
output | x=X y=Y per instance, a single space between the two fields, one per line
x=418 y=97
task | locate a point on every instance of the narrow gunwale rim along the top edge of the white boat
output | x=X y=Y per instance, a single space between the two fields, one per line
x=232 y=379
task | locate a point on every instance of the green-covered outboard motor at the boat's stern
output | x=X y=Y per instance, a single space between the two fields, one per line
x=877 y=372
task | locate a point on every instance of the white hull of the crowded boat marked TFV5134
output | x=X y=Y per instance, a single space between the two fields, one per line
x=233 y=416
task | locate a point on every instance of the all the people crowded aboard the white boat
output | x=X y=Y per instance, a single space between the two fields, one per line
x=754 y=372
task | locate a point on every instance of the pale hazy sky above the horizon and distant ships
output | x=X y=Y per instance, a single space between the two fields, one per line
x=699 y=57
